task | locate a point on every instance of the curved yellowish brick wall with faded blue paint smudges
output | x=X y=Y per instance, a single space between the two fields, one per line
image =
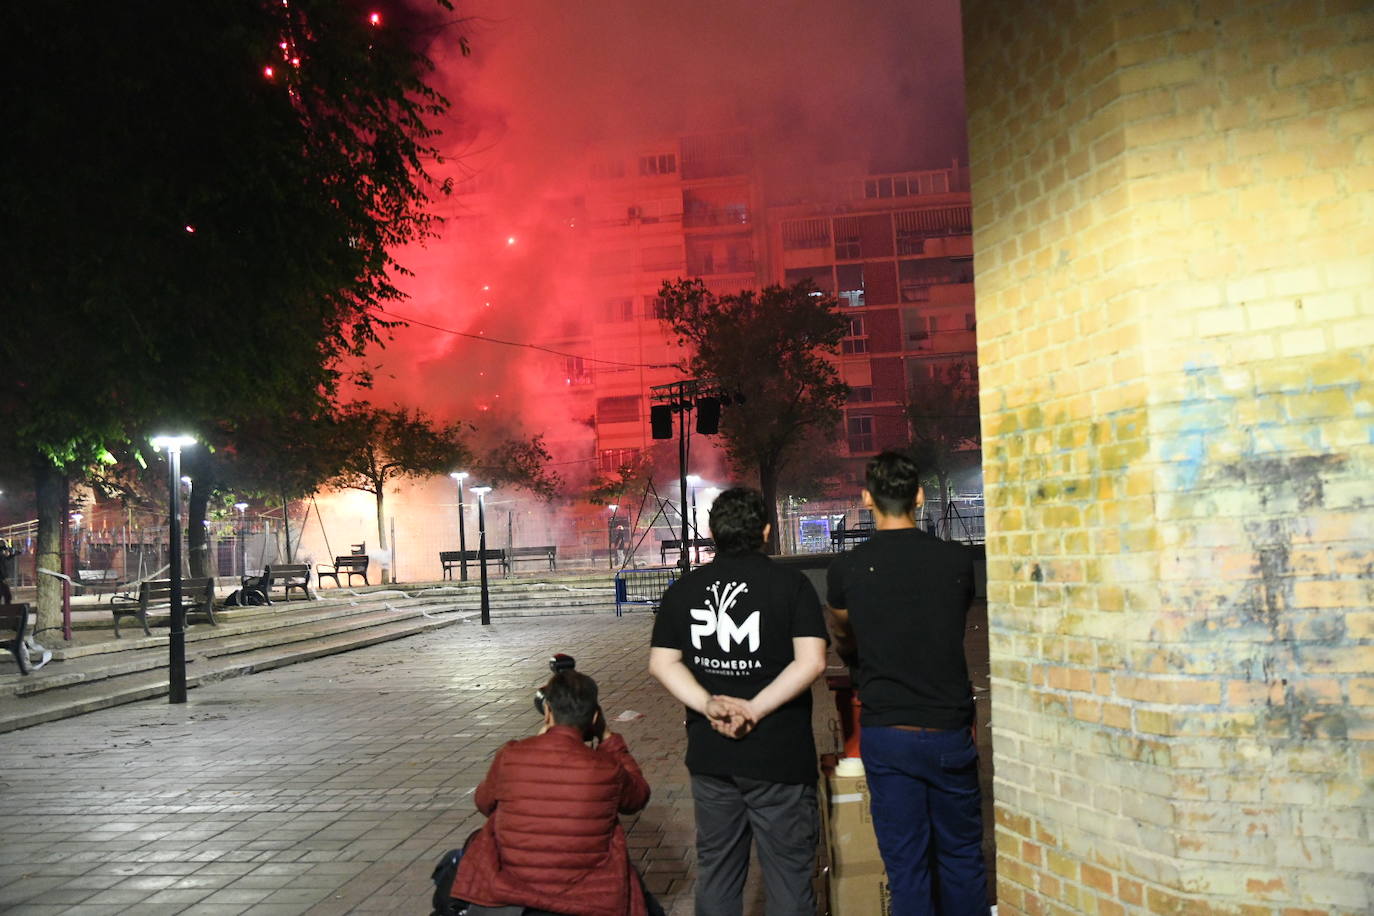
x=1174 y=223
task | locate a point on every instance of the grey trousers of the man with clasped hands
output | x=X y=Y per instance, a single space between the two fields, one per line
x=780 y=819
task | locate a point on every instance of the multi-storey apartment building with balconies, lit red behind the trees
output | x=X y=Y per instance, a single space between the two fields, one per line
x=895 y=249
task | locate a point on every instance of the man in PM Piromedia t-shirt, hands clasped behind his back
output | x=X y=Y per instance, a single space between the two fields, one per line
x=740 y=643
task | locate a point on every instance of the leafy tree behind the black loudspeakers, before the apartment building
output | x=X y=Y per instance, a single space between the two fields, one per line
x=770 y=347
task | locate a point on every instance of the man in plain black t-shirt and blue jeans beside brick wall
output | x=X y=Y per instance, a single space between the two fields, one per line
x=898 y=610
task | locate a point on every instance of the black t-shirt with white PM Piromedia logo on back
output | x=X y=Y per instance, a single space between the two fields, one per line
x=734 y=621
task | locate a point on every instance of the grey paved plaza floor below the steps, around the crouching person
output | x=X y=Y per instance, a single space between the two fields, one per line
x=326 y=788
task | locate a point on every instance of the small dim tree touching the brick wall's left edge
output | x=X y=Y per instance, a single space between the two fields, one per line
x=943 y=411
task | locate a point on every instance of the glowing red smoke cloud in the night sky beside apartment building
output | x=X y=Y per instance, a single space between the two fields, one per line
x=530 y=122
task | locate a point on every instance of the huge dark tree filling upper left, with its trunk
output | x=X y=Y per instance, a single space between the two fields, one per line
x=208 y=196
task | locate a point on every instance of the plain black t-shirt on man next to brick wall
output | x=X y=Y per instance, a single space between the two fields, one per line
x=908 y=594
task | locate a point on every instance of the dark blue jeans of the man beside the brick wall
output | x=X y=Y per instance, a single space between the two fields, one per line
x=928 y=818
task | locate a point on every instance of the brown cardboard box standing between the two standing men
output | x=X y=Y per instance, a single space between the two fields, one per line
x=858 y=884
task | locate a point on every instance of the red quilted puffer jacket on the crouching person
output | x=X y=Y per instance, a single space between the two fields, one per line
x=553 y=837
